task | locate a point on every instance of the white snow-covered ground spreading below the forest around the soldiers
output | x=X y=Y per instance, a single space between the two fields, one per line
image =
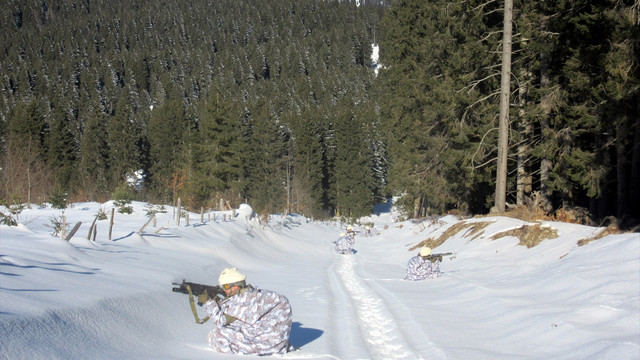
x=112 y=299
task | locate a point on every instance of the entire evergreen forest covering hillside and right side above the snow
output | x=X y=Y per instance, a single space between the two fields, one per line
x=276 y=103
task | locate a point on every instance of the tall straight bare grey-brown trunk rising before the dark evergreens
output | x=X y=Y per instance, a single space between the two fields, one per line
x=505 y=90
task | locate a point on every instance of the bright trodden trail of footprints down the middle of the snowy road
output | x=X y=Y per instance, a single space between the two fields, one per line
x=377 y=326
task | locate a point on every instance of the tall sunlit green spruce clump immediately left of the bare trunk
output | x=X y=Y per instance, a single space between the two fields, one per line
x=439 y=84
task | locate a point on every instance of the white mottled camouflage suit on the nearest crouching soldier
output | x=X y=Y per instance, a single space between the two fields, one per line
x=255 y=321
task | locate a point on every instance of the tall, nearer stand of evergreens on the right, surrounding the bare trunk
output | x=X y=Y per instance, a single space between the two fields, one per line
x=574 y=125
